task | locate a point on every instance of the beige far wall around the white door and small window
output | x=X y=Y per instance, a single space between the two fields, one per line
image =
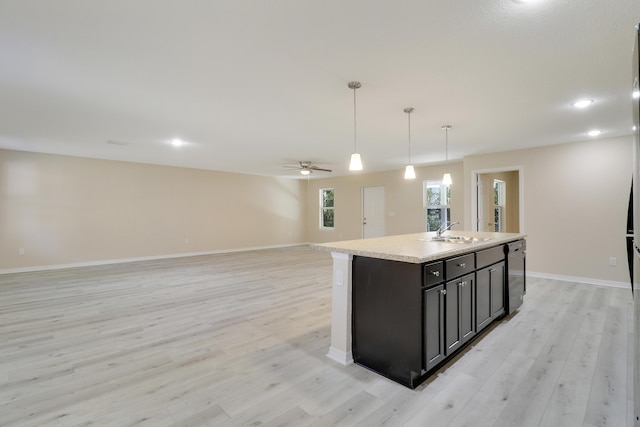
x=403 y=201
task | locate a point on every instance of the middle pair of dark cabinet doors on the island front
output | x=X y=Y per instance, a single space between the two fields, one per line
x=460 y=311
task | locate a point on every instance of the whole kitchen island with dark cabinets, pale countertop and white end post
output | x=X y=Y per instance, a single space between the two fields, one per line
x=404 y=305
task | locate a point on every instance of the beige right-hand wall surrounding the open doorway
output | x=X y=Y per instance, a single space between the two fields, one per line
x=575 y=205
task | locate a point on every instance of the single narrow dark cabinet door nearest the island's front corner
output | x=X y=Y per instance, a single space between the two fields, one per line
x=434 y=350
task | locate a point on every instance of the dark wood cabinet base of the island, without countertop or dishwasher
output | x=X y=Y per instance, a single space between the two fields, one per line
x=408 y=318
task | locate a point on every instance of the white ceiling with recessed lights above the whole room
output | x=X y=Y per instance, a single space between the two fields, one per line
x=254 y=85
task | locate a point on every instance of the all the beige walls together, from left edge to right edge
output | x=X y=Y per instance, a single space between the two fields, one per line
x=64 y=210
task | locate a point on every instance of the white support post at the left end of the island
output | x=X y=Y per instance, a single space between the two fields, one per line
x=340 y=349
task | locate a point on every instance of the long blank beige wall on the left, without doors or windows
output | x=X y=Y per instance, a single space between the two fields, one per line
x=64 y=210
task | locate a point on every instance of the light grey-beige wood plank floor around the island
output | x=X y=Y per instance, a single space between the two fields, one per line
x=241 y=340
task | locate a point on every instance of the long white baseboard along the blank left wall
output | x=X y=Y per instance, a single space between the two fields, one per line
x=145 y=258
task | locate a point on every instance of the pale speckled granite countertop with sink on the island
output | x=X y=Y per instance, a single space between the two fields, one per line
x=417 y=248
